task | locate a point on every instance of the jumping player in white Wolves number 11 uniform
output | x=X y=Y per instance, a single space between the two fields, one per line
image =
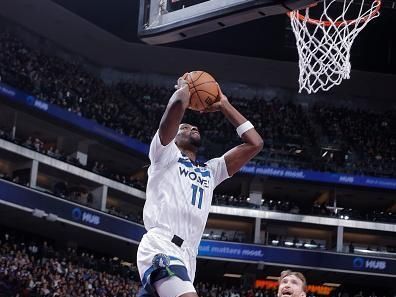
x=179 y=194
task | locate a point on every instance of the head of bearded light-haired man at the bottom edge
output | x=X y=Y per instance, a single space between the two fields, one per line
x=292 y=284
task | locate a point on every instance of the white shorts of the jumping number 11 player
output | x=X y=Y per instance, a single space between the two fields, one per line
x=182 y=260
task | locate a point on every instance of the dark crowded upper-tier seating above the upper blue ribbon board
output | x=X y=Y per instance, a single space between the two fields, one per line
x=289 y=129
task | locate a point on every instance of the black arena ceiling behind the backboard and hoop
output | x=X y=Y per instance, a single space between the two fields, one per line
x=270 y=38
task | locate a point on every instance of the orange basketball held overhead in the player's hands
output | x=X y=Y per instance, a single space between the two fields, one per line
x=203 y=89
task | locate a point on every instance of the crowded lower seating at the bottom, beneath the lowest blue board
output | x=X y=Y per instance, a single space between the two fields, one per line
x=34 y=266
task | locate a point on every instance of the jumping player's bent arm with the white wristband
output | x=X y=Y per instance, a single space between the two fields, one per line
x=238 y=156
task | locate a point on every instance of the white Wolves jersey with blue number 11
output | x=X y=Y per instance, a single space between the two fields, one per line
x=179 y=194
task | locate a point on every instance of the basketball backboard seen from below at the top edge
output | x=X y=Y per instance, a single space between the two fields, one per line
x=165 y=21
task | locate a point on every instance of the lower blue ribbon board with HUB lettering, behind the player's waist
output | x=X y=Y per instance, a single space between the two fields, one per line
x=111 y=225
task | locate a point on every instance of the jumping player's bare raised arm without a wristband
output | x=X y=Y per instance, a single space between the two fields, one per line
x=174 y=112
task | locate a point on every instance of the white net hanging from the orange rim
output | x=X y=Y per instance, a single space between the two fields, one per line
x=324 y=41
